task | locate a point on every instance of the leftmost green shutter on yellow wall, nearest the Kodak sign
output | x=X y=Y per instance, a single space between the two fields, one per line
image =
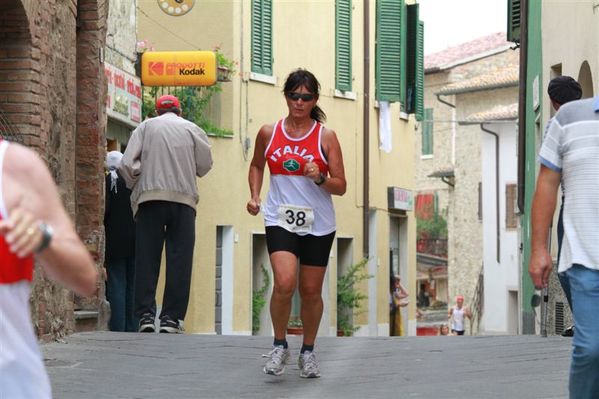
x=262 y=36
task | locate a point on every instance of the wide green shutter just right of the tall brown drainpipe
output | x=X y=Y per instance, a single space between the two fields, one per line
x=388 y=67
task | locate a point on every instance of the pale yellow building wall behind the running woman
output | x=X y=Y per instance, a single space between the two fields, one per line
x=303 y=36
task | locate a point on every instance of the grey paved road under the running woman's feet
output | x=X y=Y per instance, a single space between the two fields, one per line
x=131 y=365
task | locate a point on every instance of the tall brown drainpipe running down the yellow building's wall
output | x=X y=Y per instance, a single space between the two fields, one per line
x=366 y=132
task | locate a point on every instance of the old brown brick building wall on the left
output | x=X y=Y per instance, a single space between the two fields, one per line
x=52 y=88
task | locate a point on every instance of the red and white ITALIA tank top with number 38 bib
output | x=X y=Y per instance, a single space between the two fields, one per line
x=294 y=202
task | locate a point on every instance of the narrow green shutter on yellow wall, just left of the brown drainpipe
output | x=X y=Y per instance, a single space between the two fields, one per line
x=343 y=72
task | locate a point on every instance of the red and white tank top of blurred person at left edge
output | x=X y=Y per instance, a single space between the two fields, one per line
x=22 y=373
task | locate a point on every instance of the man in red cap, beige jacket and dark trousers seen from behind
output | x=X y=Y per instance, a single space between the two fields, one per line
x=164 y=156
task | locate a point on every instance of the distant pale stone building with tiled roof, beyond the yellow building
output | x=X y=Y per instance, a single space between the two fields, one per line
x=451 y=168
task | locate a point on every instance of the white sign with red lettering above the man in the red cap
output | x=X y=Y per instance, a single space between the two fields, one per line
x=123 y=101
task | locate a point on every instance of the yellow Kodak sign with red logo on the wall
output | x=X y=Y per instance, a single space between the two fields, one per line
x=178 y=68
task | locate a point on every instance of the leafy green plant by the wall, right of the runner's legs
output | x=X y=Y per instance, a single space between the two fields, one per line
x=349 y=298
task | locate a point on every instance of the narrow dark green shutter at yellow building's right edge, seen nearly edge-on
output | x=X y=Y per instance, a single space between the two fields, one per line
x=414 y=63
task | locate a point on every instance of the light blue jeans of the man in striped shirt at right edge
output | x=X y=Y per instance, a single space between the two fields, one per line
x=584 y=370
